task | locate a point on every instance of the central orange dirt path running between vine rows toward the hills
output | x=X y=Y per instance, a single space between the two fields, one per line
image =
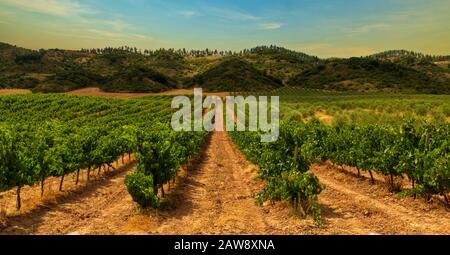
x=215 y=197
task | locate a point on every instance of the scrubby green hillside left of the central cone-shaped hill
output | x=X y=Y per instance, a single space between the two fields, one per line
x=115 y=70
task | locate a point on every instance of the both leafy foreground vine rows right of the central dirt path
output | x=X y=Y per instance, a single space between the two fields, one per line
x=419 y=154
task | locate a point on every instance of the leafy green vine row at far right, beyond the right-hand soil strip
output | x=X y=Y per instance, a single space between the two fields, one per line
x=419 y=153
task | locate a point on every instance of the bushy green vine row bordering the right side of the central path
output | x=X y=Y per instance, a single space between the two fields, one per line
x=284 y=165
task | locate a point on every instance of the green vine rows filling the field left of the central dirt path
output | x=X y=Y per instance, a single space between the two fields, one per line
x=46 y=136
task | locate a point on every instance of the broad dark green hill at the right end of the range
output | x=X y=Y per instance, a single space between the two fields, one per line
x=367 y=74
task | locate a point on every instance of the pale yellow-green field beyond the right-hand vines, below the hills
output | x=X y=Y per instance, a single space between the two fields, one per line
x=362 y=108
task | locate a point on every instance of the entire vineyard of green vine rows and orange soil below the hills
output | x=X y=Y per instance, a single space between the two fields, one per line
x=199 y=182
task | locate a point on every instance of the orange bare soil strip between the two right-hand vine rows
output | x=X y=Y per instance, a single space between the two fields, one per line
x=360 y=207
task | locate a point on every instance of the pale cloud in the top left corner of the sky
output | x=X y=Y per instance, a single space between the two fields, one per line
x=61 y=8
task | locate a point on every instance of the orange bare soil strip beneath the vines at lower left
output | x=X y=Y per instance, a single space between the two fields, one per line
x=58 y=212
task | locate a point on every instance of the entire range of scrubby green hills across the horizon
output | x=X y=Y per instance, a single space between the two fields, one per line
x=128 y=69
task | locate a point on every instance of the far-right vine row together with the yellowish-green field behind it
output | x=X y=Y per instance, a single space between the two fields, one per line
x=399 y=136
